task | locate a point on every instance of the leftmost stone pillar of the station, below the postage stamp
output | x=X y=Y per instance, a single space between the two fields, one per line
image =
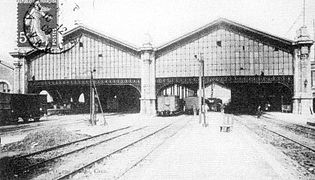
x=21 y=72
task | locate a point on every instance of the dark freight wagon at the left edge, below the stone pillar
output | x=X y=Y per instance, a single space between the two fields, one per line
x=24 y=106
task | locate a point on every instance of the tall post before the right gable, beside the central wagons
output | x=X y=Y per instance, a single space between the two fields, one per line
x=202 y=115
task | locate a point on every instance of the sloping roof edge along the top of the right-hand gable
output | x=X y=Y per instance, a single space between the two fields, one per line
x=231 y=23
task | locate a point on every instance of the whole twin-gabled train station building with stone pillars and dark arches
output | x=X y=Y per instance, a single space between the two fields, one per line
x=255 y=67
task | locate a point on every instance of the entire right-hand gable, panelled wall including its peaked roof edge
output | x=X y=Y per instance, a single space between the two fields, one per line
x=228 y=49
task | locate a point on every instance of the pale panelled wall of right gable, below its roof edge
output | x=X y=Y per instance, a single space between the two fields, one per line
x=226 y=53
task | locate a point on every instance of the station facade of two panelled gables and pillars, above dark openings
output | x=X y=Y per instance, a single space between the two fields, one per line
x=232 y=54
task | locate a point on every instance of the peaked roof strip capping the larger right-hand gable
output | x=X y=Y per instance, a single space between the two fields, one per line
x=232 y=25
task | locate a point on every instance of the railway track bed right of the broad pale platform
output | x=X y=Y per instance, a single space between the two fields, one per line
x=303 y=152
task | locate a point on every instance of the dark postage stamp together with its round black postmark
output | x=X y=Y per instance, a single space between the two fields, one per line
x=38 y=27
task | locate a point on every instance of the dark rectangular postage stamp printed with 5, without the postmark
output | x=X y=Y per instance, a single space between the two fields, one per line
x=37 y=19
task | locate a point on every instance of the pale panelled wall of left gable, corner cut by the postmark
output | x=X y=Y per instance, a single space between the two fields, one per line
x=108 y=59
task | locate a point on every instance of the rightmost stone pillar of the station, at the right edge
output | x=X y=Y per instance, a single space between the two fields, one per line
x=302 y=99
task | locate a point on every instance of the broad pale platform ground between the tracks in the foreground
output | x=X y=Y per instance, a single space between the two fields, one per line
x=206 y=153
